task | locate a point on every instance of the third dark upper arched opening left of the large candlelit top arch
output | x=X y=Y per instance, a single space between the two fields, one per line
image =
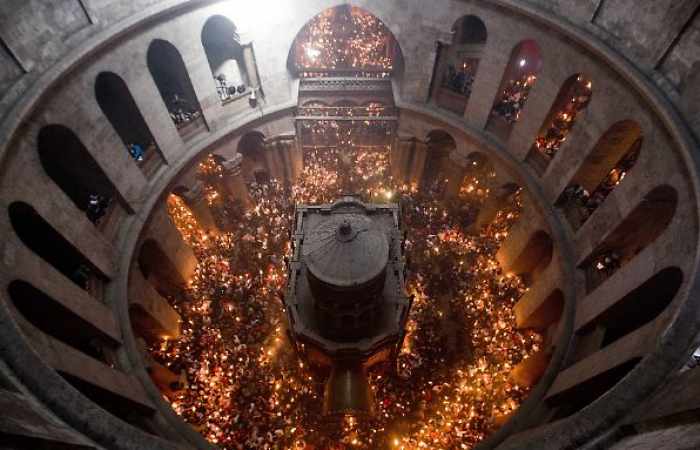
x=119 y=107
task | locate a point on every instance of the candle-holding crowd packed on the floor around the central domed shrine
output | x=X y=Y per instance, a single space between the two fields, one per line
x=246 y=388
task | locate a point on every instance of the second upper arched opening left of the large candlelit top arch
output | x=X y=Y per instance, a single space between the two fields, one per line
x=170 y=75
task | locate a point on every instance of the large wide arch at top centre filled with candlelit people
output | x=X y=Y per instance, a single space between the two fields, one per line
x=344 y=41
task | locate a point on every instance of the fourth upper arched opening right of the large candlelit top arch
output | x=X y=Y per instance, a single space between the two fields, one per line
x=613 y=156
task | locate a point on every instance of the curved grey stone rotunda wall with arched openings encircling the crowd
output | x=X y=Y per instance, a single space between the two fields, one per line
x=611 y=379
